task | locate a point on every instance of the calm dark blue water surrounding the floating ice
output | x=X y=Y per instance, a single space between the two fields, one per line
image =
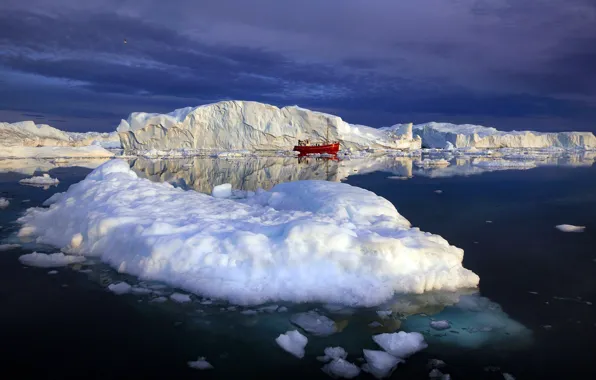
x=533 y=317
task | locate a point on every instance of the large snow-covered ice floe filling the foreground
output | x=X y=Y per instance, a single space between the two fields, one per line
x=302 y=241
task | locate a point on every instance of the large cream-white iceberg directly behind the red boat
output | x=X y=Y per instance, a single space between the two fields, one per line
x=234 y=125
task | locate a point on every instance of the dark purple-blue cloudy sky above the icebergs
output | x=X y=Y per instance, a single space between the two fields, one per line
x=510 y=64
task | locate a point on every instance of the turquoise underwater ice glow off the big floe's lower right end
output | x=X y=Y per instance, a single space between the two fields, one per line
x=476 y=322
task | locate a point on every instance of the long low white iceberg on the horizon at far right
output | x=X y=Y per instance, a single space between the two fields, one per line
x=447 y=135
